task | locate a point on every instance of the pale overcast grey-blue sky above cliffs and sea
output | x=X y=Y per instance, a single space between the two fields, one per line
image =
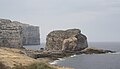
x=99 y=20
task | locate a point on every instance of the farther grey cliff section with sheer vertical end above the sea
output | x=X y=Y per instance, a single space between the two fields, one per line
x=31 y=35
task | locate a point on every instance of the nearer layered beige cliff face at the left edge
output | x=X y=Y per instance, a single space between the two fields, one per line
x=10 y=34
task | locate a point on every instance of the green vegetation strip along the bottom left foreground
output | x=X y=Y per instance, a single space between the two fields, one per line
x=32 y=66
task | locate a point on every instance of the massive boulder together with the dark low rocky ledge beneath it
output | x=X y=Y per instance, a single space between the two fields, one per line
x=64 y=43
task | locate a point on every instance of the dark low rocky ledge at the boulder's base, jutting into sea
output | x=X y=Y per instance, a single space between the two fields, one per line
x=55 y=55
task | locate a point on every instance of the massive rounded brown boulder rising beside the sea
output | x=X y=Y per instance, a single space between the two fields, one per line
x=68 y=40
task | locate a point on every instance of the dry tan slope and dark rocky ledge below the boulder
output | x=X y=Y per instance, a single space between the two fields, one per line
x=12 y=56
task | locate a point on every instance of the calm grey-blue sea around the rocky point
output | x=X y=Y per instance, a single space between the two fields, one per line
x=91 y=61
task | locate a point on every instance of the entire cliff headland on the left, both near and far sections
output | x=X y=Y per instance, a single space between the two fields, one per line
x=16 y=34
